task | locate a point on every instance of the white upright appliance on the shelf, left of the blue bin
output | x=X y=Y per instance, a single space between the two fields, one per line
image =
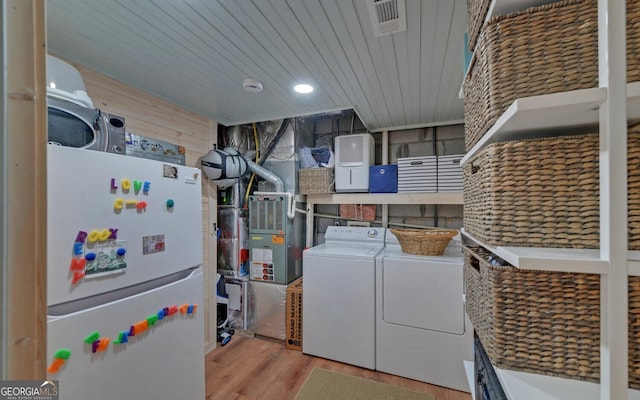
x=354 y=155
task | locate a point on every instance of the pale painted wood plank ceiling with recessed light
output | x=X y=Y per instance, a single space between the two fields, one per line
x=197 y=53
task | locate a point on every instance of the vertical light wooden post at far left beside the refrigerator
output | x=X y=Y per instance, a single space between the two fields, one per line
x=25 y=200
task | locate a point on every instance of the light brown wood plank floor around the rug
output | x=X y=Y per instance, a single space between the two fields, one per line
x=261 y=369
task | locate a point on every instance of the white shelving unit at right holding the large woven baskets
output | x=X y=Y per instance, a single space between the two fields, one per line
x=607 y=109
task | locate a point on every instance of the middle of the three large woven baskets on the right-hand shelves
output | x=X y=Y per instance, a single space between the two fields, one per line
x=544 y=192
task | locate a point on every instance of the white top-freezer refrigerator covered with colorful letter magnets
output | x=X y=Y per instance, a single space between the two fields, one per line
x=125 y=286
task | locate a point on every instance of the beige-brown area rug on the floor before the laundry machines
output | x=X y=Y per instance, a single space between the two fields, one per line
x=328 y=385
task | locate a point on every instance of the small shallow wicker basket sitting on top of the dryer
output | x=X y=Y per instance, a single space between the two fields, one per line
x=424 y=242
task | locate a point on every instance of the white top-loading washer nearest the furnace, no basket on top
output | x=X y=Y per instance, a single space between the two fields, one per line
x=338 y=295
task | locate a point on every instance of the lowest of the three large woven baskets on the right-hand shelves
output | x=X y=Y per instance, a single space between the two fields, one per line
x=543 y=322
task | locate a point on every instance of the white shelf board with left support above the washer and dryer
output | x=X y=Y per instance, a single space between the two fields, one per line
x=375 y=198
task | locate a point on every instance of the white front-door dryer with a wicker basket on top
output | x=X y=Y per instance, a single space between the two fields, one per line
x=422 y=331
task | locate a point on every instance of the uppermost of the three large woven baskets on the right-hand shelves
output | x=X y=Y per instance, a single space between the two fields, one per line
x=541 y=50
